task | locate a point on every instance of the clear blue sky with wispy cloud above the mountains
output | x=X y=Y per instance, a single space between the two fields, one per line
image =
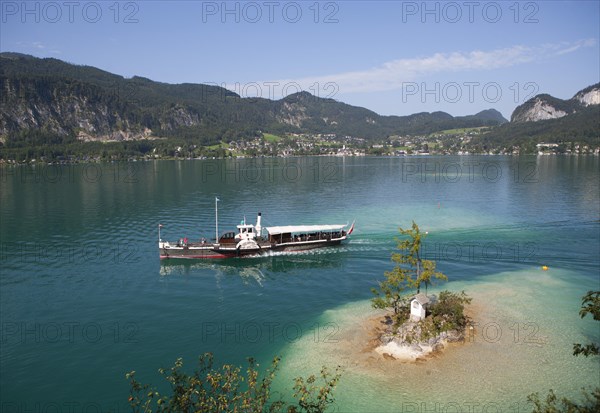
x=393 y=57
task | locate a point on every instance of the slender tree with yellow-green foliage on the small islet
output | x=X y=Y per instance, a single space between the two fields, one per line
x=409 y=273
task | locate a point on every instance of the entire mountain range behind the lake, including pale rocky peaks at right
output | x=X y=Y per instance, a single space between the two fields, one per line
x=49 y=101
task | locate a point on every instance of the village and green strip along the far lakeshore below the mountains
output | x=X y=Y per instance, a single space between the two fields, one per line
x=451 y=142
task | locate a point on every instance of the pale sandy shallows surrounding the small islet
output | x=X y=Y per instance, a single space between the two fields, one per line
x=520 y=338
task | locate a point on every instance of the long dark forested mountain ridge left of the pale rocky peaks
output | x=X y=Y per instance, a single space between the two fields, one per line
x=66 y=101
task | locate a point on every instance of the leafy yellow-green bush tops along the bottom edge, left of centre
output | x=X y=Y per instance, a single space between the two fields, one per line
x=227 y=389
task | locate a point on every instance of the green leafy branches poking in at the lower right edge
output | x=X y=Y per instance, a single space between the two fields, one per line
x=590 y=304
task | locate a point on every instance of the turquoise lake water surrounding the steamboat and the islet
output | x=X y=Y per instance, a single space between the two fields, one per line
x=84 y=298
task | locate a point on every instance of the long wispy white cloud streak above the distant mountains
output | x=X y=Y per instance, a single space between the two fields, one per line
x=391 y=75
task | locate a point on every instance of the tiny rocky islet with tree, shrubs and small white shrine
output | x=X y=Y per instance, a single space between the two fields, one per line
x=418 y=324
